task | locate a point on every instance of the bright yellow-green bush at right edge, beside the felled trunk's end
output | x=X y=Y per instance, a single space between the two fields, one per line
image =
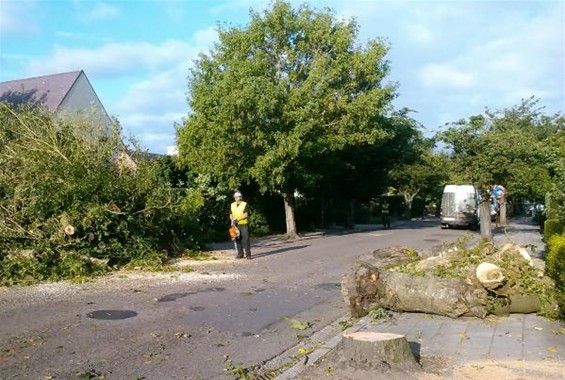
x=555 y=268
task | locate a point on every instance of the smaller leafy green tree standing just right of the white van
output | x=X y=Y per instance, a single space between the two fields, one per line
x=503 y=147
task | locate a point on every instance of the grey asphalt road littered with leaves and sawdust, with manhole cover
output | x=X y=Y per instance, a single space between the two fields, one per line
x=236 y=314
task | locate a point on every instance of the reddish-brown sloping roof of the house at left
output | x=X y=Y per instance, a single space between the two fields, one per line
x=49 y=90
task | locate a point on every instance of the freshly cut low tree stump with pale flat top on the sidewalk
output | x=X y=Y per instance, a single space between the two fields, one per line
x=384 y=351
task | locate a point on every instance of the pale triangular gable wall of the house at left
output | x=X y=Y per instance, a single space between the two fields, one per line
x=82 y=98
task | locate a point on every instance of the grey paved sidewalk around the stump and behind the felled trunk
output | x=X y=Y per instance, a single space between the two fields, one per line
x=521 y=346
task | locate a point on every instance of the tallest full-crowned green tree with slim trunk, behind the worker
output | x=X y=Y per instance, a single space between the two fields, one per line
x=289 y=89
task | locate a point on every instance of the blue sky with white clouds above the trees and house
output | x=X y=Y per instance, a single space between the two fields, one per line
x=451 y=59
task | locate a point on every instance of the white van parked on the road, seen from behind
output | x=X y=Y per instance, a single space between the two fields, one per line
x=459 y=206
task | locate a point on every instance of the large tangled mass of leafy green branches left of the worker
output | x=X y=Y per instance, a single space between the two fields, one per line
x=69 y=193
